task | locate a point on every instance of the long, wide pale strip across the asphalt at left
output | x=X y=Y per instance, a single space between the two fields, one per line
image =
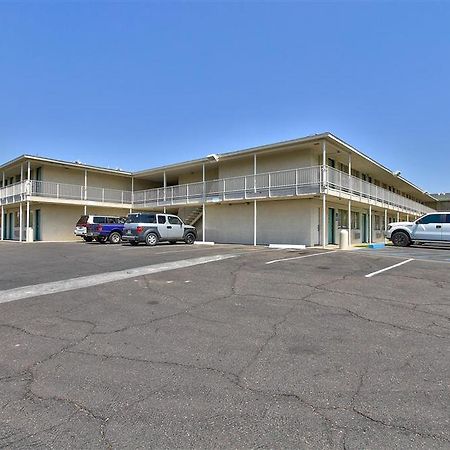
x=54 y=287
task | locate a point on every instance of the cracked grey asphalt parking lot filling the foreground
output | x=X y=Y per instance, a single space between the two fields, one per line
x=223 y=347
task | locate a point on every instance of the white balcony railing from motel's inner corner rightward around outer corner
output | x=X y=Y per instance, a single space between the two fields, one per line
x=285 y=183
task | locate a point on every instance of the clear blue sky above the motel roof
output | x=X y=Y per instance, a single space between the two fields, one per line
x=140 y=84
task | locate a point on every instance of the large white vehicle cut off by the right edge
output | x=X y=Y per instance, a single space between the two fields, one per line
x=433 y=227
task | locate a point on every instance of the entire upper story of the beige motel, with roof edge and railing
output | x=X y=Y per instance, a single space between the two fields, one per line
x=262 y=172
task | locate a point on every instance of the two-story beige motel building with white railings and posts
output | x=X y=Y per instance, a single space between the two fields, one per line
x=294 y=192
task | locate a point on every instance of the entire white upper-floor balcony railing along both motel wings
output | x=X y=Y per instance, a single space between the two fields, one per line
x=285 y=183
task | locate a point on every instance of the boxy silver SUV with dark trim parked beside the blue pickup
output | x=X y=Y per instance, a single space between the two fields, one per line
x=151 y=228
